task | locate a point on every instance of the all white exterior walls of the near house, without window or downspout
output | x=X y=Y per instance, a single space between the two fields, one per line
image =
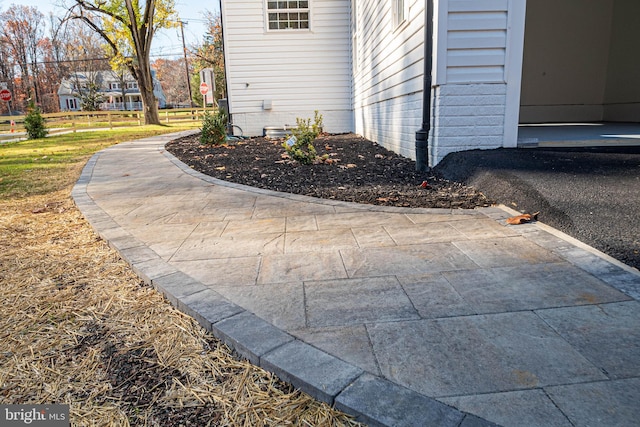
x=361 y=64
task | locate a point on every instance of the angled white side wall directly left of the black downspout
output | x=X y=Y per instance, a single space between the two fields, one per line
x=388 y=78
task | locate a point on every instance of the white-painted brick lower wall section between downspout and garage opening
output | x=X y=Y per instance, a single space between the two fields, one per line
x=467 y=117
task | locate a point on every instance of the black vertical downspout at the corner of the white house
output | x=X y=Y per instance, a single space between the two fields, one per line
x=422 y=136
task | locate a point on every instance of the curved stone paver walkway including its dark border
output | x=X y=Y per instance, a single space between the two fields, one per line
x=403 y=317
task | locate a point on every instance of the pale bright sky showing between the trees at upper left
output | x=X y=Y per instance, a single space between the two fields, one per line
x=167 y=43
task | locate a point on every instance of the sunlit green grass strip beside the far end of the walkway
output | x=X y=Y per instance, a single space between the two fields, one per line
x=44 y=165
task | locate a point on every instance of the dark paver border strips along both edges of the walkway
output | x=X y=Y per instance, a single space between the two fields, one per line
x=370 y=399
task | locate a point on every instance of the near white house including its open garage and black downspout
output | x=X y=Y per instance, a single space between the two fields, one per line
x=494 y=64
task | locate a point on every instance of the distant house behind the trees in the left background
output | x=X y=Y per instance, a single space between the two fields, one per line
x=115 y=92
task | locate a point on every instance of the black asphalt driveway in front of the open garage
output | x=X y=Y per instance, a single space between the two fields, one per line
x=591 y=194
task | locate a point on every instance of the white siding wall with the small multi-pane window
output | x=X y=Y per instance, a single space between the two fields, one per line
x=296 y=72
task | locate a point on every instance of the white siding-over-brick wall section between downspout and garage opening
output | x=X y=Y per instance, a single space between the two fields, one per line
x=477 y=72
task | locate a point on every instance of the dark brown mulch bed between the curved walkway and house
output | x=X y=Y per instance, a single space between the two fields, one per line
x=358 y=170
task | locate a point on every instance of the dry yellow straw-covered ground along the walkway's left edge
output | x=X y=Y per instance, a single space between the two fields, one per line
x=78 y=327
